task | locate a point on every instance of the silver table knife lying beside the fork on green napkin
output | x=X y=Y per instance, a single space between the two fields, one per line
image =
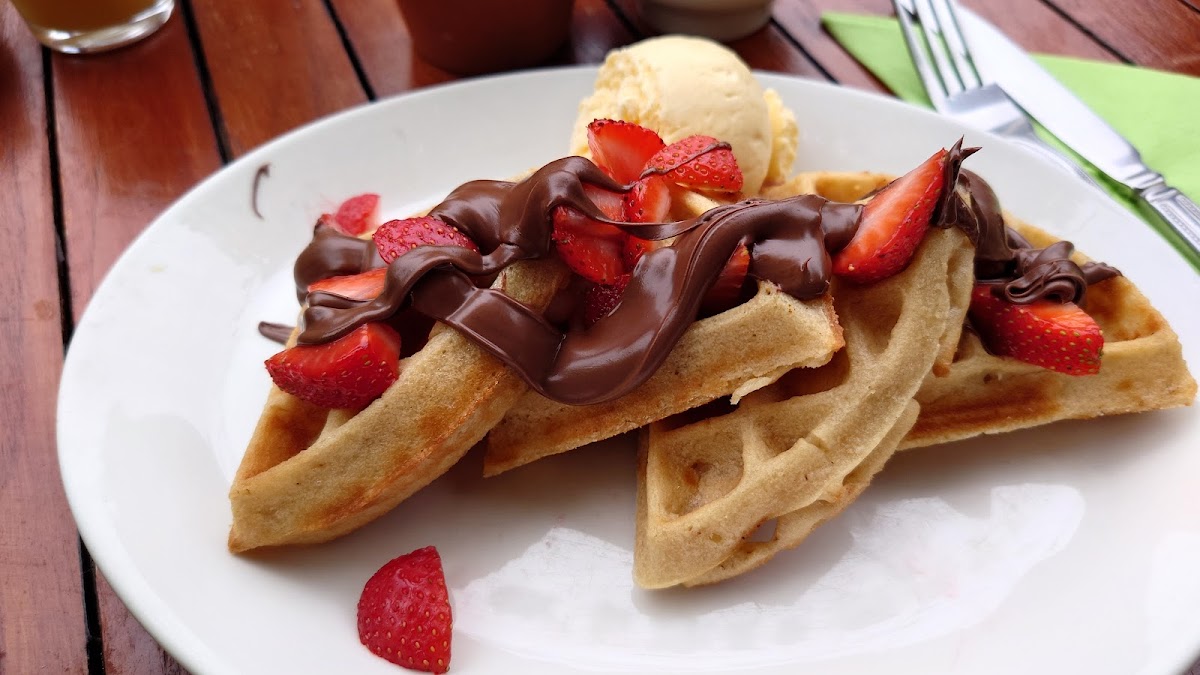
x=1043 y=98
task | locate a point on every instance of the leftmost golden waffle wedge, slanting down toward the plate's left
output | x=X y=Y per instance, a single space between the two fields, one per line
x=311 y=475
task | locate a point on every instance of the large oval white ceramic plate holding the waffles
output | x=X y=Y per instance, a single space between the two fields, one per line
x=1067 y=549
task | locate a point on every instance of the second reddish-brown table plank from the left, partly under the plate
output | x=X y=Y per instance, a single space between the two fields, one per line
x=134 y=135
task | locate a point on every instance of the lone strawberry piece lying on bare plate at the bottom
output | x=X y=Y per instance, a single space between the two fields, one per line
x=405 y=613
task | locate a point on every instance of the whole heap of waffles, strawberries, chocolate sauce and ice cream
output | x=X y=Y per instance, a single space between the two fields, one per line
x=776 y=338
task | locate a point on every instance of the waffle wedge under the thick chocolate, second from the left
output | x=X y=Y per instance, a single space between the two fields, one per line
x=730 y=354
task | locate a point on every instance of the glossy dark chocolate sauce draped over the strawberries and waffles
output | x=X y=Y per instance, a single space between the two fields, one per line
x=790 y=243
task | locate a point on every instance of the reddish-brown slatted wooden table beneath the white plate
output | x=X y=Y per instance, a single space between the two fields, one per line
x=92 y=150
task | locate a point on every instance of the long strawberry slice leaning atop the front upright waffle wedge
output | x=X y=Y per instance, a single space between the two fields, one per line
x=893 y=225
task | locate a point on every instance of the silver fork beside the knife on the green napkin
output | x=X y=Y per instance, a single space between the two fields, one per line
x=944 y=63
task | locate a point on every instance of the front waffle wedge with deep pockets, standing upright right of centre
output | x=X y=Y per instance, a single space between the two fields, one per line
x=802 y=449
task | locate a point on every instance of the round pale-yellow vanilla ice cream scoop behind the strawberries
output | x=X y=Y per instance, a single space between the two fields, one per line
x=682 y=86
